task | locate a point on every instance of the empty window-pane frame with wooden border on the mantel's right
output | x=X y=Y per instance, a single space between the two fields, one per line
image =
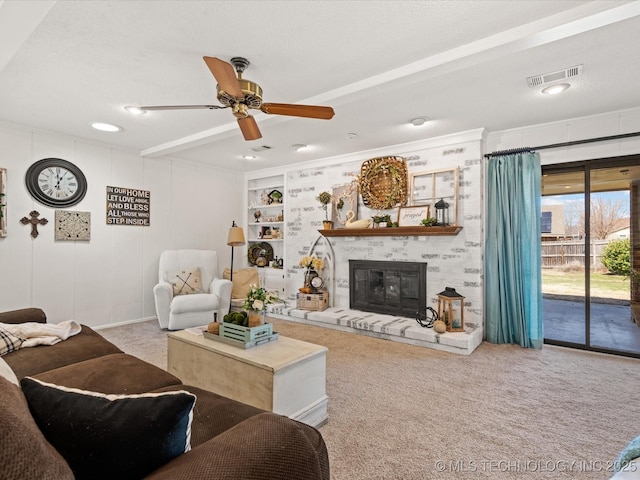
x=428 y=187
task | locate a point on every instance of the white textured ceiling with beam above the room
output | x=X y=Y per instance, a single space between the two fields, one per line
x=463 y=64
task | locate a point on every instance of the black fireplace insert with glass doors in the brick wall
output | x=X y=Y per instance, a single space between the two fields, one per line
x=395 y=288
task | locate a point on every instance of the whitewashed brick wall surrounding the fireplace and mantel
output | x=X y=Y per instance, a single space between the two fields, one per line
x=453 y=261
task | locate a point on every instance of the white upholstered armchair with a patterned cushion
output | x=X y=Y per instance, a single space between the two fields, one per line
x=189 y=291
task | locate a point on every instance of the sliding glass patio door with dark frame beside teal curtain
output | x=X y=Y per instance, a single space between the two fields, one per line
x=588 y=217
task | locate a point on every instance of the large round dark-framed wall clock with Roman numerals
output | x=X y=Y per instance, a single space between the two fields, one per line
x=56 y=183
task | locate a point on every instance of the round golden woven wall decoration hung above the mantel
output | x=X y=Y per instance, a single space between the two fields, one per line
x=383 y=182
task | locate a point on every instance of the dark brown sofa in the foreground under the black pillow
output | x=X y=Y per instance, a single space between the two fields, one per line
x=229 y=440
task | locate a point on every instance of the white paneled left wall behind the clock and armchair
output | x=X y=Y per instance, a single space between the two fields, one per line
x=108 y=280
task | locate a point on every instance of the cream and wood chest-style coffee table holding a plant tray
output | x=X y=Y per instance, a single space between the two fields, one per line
x=285 y=376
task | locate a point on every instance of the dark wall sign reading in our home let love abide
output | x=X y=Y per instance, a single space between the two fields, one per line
x=128 y=206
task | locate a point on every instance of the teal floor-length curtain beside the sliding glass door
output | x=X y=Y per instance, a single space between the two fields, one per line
x=513 y=252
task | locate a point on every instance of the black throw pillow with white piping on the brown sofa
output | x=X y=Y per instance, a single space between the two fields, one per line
x=111 y=436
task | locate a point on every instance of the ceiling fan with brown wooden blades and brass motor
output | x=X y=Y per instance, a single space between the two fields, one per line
x=241 y=95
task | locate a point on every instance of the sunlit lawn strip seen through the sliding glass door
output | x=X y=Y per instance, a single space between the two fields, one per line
x=572 y=283
